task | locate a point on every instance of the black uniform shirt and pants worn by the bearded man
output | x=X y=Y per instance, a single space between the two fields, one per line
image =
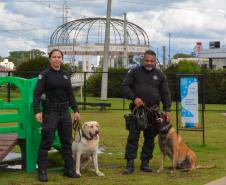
x=151 y=87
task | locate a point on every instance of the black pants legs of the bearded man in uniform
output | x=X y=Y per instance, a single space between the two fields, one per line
x=133 y=138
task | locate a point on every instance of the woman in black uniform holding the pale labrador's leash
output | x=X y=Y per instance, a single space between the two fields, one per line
x=55 y=86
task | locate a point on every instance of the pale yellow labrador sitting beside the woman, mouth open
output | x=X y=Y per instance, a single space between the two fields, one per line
x=84 y=149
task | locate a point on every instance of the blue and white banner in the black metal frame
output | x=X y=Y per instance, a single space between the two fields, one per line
x=189 y=102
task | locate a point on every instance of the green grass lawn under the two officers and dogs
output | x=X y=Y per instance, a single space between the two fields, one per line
x=113 y=139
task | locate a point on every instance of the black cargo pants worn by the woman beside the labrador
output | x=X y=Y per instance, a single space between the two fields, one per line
x=56 y=117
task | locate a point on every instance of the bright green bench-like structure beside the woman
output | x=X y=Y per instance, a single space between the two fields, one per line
x=26 y=127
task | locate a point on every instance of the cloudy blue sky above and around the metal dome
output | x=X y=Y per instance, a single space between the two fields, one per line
x=28 y=24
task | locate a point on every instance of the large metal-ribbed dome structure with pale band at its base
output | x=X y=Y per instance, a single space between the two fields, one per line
x=86 y=37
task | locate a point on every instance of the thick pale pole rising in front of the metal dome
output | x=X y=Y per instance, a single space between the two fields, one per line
x=104 y=84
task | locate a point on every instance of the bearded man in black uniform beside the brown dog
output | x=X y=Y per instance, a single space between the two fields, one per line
x=145 y=85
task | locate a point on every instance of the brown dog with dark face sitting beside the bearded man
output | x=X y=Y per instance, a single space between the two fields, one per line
x=171 y=144
